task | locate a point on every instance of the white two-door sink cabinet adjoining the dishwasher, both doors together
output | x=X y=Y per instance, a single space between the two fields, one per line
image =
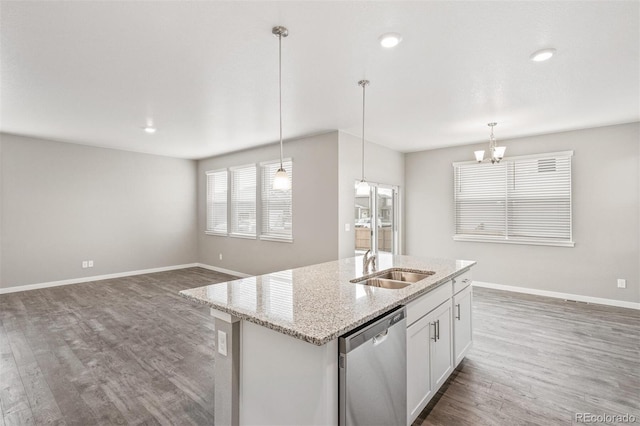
x=429 y=357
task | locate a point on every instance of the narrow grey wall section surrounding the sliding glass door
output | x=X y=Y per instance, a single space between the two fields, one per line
x=382 y=165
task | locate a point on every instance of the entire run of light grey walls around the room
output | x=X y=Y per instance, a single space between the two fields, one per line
x=63 y=203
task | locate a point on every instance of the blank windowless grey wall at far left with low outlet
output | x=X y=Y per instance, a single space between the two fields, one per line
x=63 y=203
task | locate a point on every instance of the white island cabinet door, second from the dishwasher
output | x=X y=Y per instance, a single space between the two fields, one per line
x=441 y=346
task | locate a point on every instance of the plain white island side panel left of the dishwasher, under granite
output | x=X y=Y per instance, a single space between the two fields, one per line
x=286 y=381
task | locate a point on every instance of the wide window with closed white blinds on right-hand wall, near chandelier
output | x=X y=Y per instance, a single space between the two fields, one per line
x=524 y=200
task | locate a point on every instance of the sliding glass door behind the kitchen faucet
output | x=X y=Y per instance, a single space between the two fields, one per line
x=376 y=227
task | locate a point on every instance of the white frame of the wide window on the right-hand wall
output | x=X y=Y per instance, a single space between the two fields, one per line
x=509 y=207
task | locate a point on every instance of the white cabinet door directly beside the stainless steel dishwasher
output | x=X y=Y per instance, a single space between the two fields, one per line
x=418 y=378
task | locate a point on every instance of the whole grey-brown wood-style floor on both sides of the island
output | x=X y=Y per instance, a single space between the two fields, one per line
x=132 y=351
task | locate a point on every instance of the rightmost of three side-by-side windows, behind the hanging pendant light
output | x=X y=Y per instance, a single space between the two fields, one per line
x=276 y=211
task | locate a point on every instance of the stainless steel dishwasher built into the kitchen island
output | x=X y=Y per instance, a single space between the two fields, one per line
x=373 y=372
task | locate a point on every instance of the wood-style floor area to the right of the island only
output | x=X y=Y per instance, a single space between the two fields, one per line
x=539 y=361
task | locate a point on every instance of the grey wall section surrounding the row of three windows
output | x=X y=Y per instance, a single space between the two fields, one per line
x=315 y=207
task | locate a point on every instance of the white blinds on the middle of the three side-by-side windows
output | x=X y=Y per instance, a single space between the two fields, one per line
x=243 y=201
